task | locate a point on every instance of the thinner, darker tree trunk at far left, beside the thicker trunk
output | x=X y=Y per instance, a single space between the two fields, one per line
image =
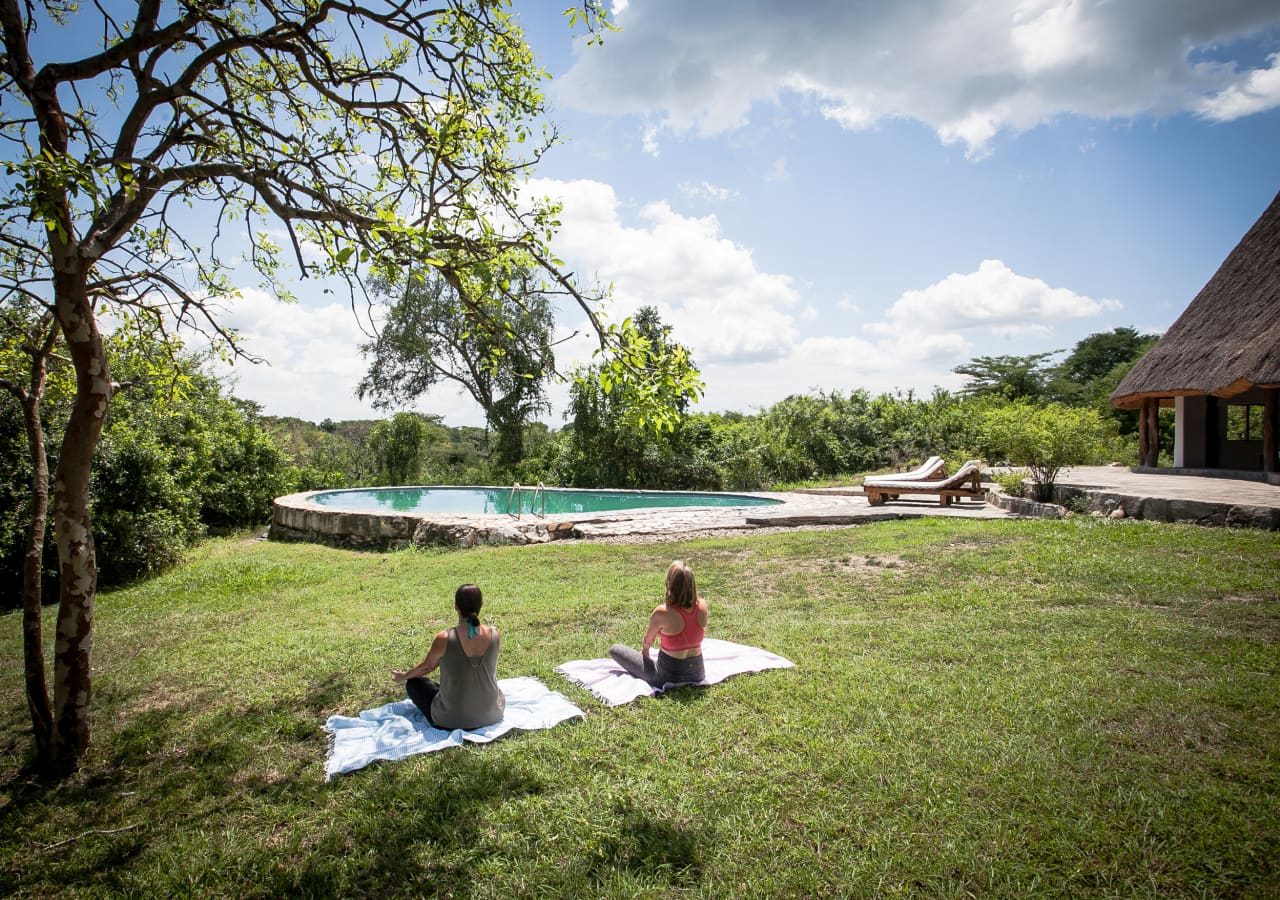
x=33 y=637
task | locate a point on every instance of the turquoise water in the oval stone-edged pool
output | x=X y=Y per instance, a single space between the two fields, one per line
x=500 y=500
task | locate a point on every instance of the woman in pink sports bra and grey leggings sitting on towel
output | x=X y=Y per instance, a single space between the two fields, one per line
x=679 y=623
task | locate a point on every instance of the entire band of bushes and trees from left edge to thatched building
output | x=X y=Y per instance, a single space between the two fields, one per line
x=181 y=458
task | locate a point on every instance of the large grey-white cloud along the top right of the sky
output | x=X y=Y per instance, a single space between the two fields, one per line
x=970 y=70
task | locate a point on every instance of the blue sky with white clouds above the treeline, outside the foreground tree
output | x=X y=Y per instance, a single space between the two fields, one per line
x=824 y=197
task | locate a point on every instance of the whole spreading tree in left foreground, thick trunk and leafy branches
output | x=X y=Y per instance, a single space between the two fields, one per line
x=371 y=135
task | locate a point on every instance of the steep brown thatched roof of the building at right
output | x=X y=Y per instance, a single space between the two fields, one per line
x=1228 y=340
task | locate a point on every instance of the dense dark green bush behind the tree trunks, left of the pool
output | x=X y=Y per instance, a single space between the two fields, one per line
x=179 y=458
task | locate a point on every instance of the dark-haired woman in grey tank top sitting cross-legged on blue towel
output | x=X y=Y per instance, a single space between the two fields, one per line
x=468 y=696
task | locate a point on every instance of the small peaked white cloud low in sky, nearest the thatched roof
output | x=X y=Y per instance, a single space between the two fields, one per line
x=994 y=298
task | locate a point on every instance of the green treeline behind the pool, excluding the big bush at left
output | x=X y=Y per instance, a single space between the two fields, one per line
x=802 y=438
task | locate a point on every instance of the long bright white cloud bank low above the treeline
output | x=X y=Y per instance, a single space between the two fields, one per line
x=744 y=326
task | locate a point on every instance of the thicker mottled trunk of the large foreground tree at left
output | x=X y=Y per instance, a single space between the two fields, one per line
x=74 y=531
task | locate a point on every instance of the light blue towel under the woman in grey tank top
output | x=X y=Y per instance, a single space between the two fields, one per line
x=400 y=730
